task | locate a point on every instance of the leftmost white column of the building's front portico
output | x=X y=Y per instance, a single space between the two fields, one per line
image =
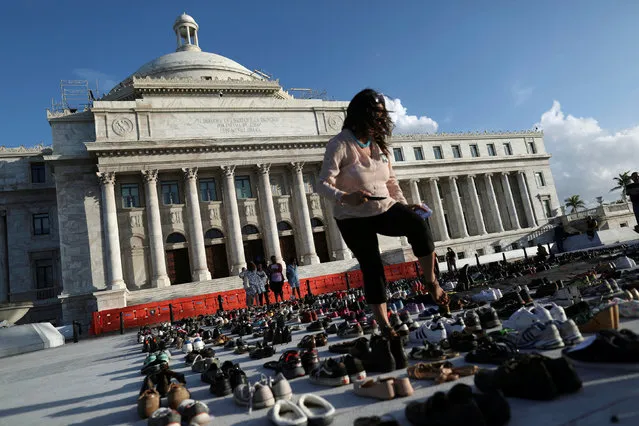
x=111 y=231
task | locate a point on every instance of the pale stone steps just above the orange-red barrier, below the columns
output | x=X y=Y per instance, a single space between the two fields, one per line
x=229 y=283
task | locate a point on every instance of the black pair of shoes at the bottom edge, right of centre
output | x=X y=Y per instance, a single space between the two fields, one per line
x=460 y=407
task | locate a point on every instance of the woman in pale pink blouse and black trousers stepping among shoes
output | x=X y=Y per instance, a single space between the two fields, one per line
x=358 y=177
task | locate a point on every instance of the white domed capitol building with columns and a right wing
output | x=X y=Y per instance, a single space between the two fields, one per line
x=202 y=165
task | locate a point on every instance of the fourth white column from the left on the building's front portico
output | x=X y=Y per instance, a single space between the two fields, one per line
x=234 y=233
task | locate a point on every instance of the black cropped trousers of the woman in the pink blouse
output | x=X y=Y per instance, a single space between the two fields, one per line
x=360 y=235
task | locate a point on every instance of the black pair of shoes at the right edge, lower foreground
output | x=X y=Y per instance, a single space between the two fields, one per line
x=608 y=348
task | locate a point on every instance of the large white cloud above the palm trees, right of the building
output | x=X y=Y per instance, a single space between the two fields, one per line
x=585 y=157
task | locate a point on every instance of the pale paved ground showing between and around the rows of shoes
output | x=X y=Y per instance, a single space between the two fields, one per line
x=96 y=382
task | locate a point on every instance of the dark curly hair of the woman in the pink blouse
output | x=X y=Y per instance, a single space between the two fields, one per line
x=365 y=121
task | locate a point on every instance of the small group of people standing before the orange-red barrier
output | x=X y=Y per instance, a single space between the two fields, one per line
x=258 y=282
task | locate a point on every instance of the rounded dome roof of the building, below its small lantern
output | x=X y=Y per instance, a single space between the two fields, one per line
x=197 y=65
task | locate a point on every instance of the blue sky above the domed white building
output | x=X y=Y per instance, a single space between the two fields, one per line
x=466 y=65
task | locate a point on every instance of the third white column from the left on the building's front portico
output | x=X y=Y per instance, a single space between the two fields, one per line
x=199 y=270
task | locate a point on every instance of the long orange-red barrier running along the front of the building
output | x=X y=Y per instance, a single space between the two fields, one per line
x=156 y=312
